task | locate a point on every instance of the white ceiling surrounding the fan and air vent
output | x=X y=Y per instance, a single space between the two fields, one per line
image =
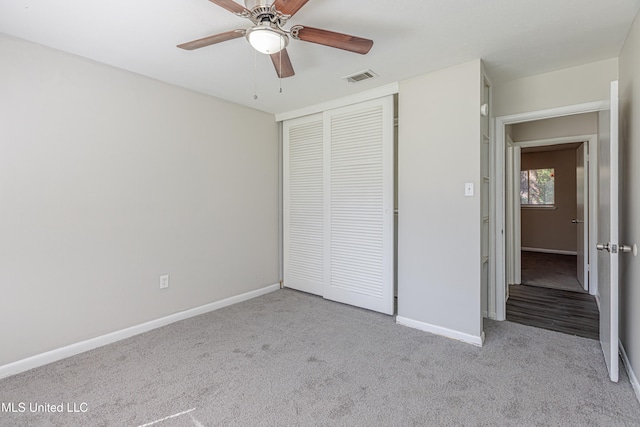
x=515 y=38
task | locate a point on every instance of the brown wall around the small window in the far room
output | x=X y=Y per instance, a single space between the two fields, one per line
x=551 y=229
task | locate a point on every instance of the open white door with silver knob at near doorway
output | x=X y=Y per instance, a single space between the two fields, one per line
x=608 y=232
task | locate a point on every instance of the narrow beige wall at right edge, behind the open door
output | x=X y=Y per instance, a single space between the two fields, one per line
x=630 y=196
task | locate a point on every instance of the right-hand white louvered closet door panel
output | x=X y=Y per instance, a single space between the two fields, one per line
x=359 y=205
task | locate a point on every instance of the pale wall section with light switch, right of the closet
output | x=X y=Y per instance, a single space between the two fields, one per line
x=439 y=228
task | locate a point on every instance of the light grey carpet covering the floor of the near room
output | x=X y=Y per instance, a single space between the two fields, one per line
x=289 y=358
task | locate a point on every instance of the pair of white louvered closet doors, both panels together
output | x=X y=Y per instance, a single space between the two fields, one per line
x=338 y=204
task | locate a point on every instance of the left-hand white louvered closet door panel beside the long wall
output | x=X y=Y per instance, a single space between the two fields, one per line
x=303 y=204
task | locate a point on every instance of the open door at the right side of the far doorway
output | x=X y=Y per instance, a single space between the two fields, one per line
x=582 y=207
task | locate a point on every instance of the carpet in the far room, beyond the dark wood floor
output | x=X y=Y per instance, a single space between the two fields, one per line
x=550 y=271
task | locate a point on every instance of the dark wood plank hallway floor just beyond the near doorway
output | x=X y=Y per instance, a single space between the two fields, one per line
x=558 y=310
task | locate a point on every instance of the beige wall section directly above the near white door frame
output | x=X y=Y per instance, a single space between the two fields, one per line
x=576 y=85
